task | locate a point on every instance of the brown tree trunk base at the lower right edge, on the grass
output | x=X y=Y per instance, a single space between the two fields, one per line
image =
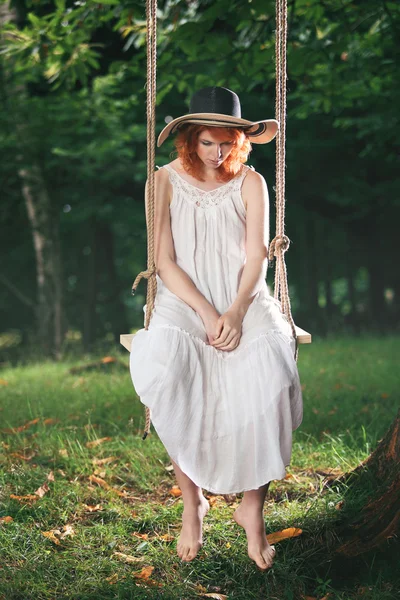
x=379 y=518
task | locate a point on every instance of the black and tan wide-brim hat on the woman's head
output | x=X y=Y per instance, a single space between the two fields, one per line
x=220 y=107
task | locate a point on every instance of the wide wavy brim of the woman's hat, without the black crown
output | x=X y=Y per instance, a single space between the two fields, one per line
x=260 y=132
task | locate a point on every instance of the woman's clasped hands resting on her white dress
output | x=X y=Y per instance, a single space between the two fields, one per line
x=224 y=331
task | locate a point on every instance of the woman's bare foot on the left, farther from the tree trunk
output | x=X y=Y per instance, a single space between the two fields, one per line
x=191 y=536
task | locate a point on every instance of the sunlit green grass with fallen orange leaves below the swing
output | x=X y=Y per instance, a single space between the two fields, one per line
x=350 y=391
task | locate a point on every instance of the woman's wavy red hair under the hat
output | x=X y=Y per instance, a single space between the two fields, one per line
x=186 y=141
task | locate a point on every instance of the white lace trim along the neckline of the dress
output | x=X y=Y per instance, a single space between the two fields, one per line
x=205 y=198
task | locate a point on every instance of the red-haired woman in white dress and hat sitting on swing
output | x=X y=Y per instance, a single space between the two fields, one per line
x=216 y=366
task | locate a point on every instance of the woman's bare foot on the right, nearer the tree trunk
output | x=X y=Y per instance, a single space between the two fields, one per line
x=259 y=548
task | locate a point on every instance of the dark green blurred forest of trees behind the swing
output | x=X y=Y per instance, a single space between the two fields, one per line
x=73 y=147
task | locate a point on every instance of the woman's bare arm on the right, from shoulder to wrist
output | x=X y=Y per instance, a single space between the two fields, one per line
x=255 y=195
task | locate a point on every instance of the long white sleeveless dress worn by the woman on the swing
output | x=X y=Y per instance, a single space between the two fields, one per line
x=225 y=417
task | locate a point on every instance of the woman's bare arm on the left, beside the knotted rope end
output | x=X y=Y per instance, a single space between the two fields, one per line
x=176 y=279
